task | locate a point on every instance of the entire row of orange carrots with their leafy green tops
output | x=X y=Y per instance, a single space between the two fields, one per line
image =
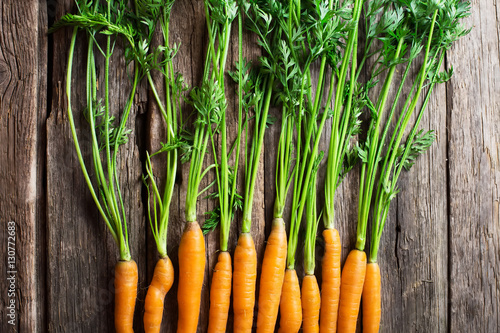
x=294 y=35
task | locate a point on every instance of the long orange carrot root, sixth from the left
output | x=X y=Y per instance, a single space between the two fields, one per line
x=271 y=279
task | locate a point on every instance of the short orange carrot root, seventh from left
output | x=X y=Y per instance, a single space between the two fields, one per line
x=290 y=305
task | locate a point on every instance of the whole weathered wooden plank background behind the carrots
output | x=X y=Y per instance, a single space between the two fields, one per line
x=440 y=250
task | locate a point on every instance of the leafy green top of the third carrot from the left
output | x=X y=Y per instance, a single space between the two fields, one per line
x=210 y=103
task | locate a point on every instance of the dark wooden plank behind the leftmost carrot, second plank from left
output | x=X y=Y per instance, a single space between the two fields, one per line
x=81 y=253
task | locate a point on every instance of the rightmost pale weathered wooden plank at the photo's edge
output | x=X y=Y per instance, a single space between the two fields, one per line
x=474 y=173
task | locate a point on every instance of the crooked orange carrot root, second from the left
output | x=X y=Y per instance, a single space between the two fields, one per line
x=163 y=277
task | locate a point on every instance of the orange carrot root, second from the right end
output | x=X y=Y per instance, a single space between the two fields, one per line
x=353 y=278
